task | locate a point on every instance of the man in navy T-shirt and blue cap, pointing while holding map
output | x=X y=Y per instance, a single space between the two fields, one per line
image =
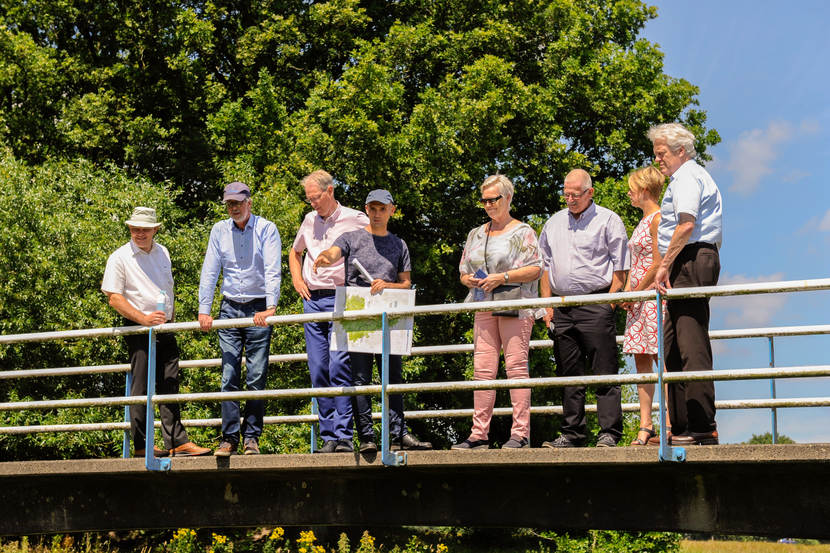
x=385 y=258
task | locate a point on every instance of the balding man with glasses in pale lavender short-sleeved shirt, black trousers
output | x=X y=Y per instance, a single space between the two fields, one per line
x=584 y=251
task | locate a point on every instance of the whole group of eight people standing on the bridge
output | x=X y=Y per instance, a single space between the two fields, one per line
x=582 y=249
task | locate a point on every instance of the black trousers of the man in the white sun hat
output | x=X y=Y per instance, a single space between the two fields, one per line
x=167 y=382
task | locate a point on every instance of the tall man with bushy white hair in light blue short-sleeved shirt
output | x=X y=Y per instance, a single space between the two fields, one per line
x=689 y=235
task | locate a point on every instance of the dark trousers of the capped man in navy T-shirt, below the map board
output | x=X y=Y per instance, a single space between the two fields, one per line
x=362 y=375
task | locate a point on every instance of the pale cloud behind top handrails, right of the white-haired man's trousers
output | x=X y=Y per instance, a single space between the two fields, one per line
x=756 y=310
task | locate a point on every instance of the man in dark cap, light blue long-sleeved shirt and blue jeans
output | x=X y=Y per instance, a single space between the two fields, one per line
x=246 y=249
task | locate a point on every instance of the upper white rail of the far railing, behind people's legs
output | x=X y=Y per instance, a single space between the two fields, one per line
x=765 y=332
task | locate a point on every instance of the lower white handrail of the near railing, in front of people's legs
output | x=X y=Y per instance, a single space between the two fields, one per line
x=459 y=385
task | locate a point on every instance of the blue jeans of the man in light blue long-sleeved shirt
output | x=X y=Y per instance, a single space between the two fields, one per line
x=256 y=342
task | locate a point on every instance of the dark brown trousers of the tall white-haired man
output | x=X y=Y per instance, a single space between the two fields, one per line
x=686 y=340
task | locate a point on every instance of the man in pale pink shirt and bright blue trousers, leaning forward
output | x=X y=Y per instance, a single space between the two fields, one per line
x=317 y=233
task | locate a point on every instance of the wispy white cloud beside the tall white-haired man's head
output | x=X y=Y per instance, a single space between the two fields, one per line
x=753 y=154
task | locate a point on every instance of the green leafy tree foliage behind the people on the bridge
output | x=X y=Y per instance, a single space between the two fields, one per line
x=104 y=105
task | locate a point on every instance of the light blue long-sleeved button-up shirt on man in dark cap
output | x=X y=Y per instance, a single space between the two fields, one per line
x=249 y=260
